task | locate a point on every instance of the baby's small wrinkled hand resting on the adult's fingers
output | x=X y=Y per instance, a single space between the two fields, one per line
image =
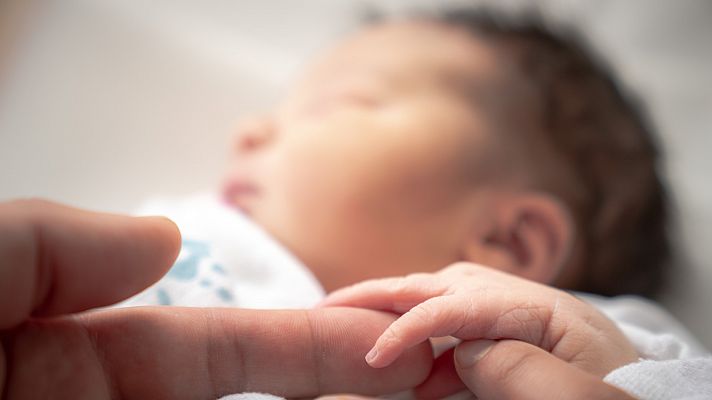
x=472 y=302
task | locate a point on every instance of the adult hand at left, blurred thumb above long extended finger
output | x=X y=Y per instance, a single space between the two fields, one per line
x=55 y=261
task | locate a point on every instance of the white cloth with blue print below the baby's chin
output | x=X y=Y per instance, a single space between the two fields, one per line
x=226 y=261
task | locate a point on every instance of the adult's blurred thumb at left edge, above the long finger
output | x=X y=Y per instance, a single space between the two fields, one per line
x=56 y=259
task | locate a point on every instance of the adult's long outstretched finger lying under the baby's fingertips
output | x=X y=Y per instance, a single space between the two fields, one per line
x=189 y=353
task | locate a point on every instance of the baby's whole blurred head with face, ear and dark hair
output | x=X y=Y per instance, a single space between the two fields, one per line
x=418 y=144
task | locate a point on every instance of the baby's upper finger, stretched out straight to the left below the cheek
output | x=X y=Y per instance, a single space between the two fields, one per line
x=397 y=295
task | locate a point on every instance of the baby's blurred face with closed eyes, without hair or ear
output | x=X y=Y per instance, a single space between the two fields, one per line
x=367 y=168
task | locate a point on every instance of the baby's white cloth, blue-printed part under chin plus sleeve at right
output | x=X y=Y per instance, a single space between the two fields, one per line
x=227 y=260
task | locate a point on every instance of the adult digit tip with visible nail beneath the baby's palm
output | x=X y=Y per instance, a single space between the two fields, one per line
x=510 y=369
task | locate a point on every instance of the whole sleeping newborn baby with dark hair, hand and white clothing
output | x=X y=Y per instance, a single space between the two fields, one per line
x=453 y=169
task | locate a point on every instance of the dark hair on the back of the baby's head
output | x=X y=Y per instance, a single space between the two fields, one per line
x=607 y=170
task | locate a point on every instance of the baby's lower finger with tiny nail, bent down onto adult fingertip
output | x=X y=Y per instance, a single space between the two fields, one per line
x=438 y=316
